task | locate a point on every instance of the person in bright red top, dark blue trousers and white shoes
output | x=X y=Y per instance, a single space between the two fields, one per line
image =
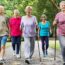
x=15 y=32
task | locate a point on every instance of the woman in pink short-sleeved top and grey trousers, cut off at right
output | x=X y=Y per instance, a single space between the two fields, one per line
x=60 y=21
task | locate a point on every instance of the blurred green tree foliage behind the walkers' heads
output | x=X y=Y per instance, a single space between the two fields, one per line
x=49 y=7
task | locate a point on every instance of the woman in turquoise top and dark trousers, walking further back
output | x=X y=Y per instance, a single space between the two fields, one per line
x=44 y=31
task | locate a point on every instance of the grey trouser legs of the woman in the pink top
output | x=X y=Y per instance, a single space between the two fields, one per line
x=62 y=44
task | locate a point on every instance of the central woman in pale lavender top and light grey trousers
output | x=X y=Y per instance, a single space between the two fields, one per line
x=28 y=24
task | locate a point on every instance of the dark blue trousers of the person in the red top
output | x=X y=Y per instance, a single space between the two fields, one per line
x=16 y=42
